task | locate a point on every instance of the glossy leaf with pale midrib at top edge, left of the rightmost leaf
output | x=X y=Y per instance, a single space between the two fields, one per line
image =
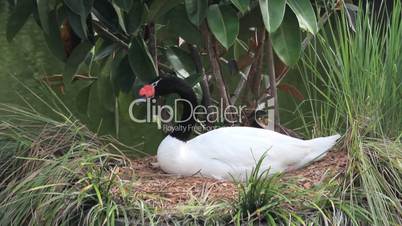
x=272 y=12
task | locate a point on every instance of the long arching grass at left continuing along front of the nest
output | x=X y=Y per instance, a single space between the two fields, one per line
x=57 y=172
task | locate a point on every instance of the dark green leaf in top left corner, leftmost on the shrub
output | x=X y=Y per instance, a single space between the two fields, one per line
x=18 y=17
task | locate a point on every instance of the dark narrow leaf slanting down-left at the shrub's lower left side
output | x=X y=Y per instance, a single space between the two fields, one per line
x=76 y=58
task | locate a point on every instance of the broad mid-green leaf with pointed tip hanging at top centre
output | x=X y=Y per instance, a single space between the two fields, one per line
x=223 y=23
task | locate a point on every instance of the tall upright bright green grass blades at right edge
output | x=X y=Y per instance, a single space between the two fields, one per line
x=357 y=75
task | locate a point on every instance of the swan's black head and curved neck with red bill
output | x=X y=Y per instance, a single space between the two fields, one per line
x=173 y=85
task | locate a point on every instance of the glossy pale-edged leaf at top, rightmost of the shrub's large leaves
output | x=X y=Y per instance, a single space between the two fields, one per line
x=305 y=14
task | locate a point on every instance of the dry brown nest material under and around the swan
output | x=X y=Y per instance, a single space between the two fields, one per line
x=167 y=191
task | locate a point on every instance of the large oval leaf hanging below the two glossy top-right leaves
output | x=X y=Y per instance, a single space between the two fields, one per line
x=286 y=40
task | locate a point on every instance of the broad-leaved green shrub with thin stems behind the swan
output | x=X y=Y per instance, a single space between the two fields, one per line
x=229 y=50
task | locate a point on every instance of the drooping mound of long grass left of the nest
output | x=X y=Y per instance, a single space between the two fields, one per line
x=56 y=173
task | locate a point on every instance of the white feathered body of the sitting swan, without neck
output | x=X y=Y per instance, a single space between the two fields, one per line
x=232 y=152
